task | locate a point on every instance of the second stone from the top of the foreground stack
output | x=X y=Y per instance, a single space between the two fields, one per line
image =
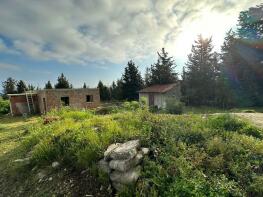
x=124 y=165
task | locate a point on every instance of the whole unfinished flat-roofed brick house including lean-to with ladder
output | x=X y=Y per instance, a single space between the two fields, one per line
x=42 y=101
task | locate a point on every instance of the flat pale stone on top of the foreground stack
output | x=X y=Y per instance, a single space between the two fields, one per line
x=125 y=151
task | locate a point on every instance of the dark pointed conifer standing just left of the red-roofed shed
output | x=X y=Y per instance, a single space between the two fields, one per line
x=132 y=82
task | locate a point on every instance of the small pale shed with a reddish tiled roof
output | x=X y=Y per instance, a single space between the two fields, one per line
x=157 y=95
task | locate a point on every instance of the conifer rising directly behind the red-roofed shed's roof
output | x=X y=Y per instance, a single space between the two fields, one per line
x=162 y=72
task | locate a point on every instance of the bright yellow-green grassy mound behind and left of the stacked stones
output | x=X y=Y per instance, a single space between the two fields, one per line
x=80 y=137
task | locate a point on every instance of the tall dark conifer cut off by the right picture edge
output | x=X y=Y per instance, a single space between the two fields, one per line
x=249 y=45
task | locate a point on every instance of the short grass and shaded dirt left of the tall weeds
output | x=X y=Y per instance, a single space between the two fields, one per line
x=22 y=178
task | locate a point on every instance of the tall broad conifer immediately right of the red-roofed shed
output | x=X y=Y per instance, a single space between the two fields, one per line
x=201 y=72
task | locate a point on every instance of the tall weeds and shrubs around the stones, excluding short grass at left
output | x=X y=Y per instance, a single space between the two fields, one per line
x=190 y=155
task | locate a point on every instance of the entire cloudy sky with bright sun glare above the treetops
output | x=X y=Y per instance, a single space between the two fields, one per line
x=92 y=40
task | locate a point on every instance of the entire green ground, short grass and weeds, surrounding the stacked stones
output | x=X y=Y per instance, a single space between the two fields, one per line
x=191 y=154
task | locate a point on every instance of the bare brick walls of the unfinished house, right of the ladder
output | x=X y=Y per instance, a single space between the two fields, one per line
x=77 y=98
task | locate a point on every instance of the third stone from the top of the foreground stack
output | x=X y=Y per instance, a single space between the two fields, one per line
x=128 y=177
